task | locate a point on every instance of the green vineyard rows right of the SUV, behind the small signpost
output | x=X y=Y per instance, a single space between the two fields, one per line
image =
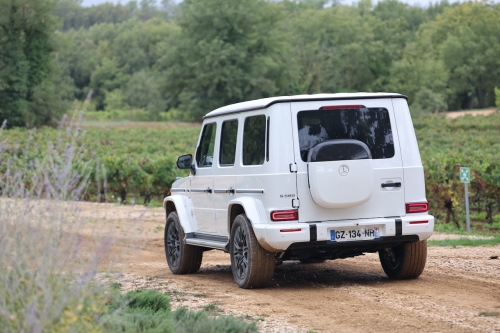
x=447 y=144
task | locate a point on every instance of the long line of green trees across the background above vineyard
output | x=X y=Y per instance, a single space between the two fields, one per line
x=202 y=54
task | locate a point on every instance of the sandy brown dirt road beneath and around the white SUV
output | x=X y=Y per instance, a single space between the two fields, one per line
x=459 y=290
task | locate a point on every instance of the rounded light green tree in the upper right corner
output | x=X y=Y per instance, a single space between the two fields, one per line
x=457 y=55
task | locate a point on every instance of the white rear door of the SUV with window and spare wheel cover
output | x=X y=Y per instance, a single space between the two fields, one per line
x=345 y=182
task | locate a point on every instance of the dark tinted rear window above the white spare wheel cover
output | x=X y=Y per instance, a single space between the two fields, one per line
x=371 y=126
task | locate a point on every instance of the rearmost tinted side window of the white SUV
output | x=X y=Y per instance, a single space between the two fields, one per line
x=254 y=140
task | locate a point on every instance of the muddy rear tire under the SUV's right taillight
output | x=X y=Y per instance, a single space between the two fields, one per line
x=405 y=261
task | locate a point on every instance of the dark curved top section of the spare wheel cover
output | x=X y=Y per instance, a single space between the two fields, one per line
x=338 y=152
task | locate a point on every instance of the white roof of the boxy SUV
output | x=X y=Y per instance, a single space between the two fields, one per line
x=265 y=102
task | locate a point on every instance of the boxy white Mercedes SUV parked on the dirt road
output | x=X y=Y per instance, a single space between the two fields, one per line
x=309 y=178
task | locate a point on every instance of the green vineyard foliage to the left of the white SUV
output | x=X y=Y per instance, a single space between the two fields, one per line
x=131 y=161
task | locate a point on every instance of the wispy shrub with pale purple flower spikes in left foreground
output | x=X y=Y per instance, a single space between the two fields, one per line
x=46 y=267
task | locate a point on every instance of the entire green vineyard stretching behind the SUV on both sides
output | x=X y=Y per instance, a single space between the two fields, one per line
x=134 y=163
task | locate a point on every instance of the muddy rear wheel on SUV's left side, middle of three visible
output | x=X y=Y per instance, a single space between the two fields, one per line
x=252 y=265
